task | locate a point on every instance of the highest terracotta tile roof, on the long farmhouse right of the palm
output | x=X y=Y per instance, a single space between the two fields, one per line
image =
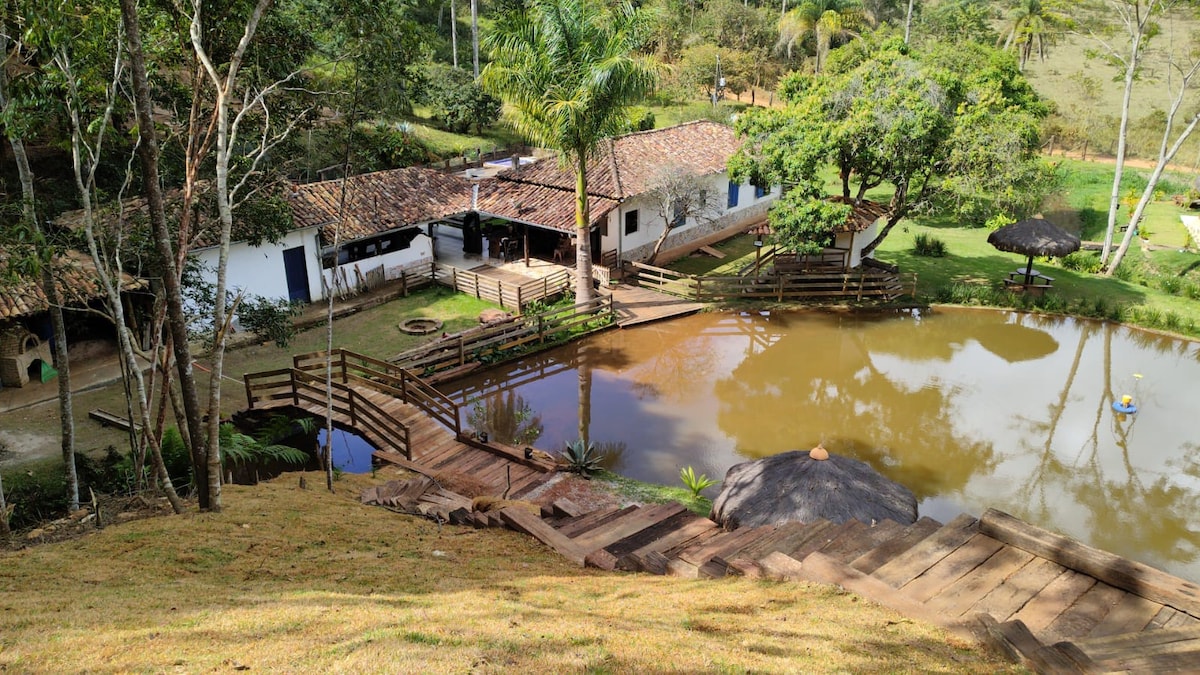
x=629 y=165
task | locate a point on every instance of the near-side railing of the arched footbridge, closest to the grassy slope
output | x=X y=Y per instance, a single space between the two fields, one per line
x=361 y=413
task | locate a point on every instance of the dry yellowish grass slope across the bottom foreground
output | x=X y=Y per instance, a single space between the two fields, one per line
x=301 y=581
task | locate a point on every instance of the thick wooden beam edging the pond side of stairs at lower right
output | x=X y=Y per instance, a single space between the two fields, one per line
x=1113 y=570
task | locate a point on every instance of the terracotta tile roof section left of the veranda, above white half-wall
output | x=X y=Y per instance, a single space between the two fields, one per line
x=381 y=201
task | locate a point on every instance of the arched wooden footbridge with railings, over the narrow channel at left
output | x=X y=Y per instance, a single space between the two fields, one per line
x=409 y=421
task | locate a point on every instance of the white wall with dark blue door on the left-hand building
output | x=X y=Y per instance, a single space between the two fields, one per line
x=260 y=270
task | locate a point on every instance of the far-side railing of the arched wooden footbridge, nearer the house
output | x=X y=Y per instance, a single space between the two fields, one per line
x=369 y=373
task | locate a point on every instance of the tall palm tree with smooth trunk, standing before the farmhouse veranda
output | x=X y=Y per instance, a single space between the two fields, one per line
x=571 y=69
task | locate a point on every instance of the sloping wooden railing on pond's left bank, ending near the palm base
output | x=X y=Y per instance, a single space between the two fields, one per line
x=494 y=342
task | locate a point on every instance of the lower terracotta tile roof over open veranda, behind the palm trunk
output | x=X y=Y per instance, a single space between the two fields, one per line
x=536 y=205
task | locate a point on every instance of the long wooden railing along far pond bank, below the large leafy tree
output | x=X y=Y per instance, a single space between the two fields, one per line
x=866 y=283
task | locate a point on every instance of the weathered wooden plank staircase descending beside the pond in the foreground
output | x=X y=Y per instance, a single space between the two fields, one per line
x=1048 y=601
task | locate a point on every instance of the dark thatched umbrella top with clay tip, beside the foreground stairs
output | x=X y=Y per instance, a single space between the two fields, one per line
x=801 y=487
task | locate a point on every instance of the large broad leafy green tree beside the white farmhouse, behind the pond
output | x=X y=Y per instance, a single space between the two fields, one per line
x=952 y=129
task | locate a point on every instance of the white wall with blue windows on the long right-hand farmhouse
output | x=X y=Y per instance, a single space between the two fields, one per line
x=638 y=247
